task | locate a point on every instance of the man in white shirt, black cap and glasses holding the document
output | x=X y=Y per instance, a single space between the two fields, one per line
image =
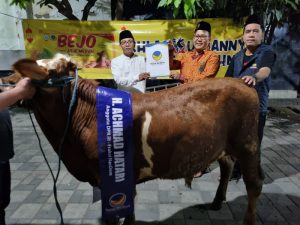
x=129 y=69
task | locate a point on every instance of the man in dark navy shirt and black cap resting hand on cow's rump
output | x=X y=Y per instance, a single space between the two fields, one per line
x=253 y=64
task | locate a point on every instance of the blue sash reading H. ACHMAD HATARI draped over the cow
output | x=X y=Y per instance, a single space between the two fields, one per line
x=114 y=120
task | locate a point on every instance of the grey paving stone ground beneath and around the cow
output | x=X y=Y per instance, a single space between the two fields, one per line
x=163 y=202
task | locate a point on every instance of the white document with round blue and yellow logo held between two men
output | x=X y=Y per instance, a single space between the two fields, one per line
x=157 y=59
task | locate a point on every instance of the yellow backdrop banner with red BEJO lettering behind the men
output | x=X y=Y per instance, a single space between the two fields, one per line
x=92 y=44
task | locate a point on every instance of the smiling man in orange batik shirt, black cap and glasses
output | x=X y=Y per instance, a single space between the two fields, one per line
x=198 y=64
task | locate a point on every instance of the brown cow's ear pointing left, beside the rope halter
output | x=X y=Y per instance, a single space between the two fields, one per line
x=29 y=68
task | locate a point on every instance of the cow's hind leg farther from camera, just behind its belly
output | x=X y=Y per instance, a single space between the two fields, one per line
x=226 y=166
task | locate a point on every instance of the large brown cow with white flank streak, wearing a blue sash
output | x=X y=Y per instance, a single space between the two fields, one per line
x=177 y=132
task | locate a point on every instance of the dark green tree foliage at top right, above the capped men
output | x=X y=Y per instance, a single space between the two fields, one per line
x=274 y=12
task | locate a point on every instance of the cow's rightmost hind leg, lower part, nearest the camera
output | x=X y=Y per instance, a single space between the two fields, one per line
x=253 y=179
